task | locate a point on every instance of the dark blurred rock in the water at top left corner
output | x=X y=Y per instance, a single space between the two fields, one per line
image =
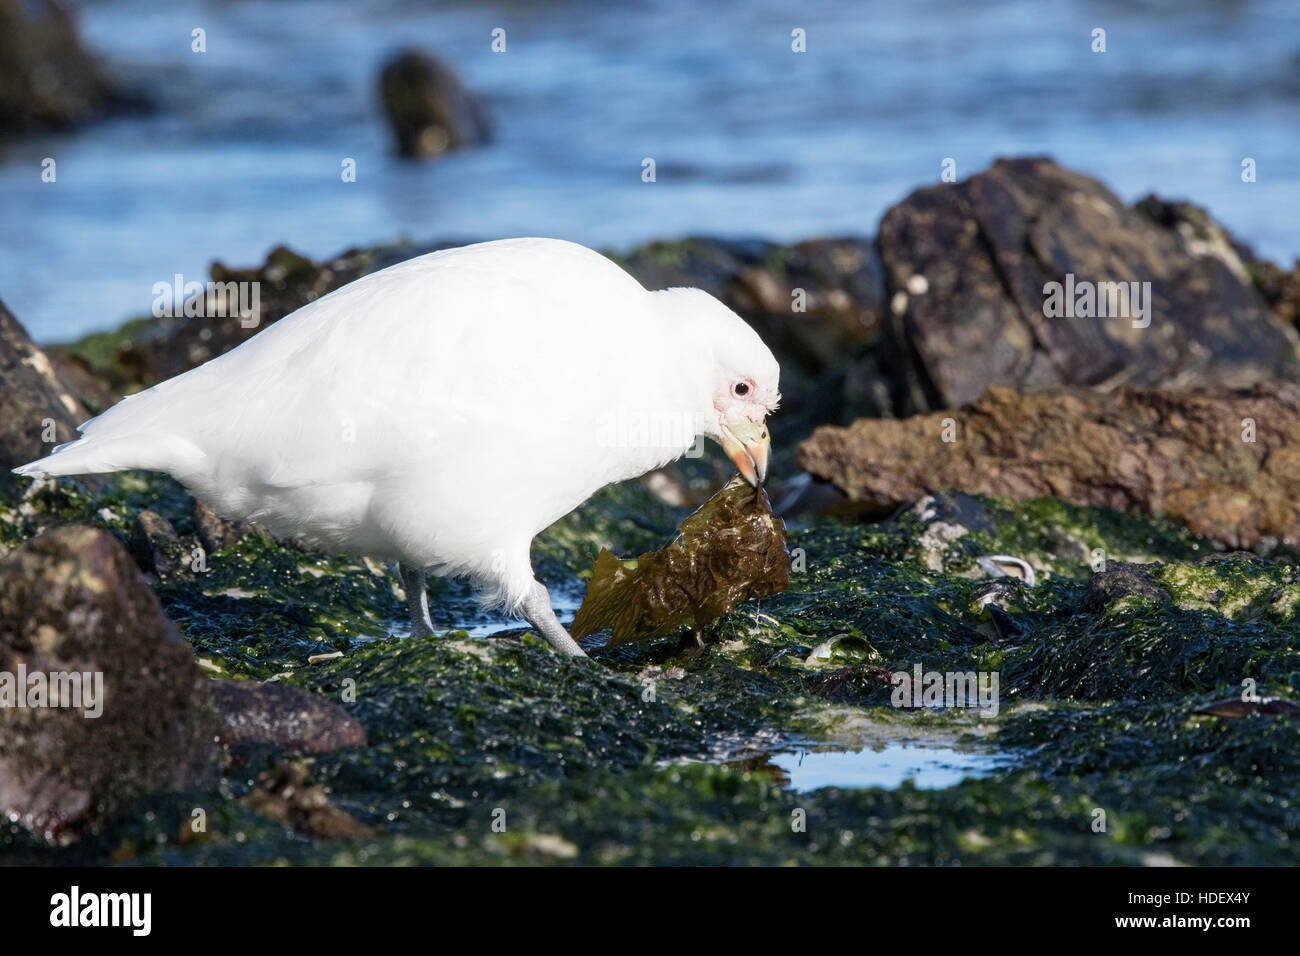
x=47 y=79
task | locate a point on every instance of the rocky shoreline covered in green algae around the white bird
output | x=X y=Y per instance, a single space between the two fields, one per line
x=1099 y=511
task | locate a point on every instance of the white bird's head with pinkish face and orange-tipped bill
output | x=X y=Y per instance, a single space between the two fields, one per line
x=746 y=383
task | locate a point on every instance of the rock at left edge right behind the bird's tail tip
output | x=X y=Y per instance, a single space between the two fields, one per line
x=37 y=409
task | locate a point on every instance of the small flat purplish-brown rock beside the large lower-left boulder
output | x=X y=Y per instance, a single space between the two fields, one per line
x=283 y=717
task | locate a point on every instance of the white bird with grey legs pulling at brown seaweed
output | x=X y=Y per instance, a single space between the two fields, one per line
x=444 y=412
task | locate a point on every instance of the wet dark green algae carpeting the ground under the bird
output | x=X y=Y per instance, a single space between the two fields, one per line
x=632 y=759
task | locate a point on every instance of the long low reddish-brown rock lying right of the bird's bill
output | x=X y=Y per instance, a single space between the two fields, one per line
x=1228 y=465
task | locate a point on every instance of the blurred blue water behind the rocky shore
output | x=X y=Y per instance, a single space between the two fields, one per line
x=751 y=140
